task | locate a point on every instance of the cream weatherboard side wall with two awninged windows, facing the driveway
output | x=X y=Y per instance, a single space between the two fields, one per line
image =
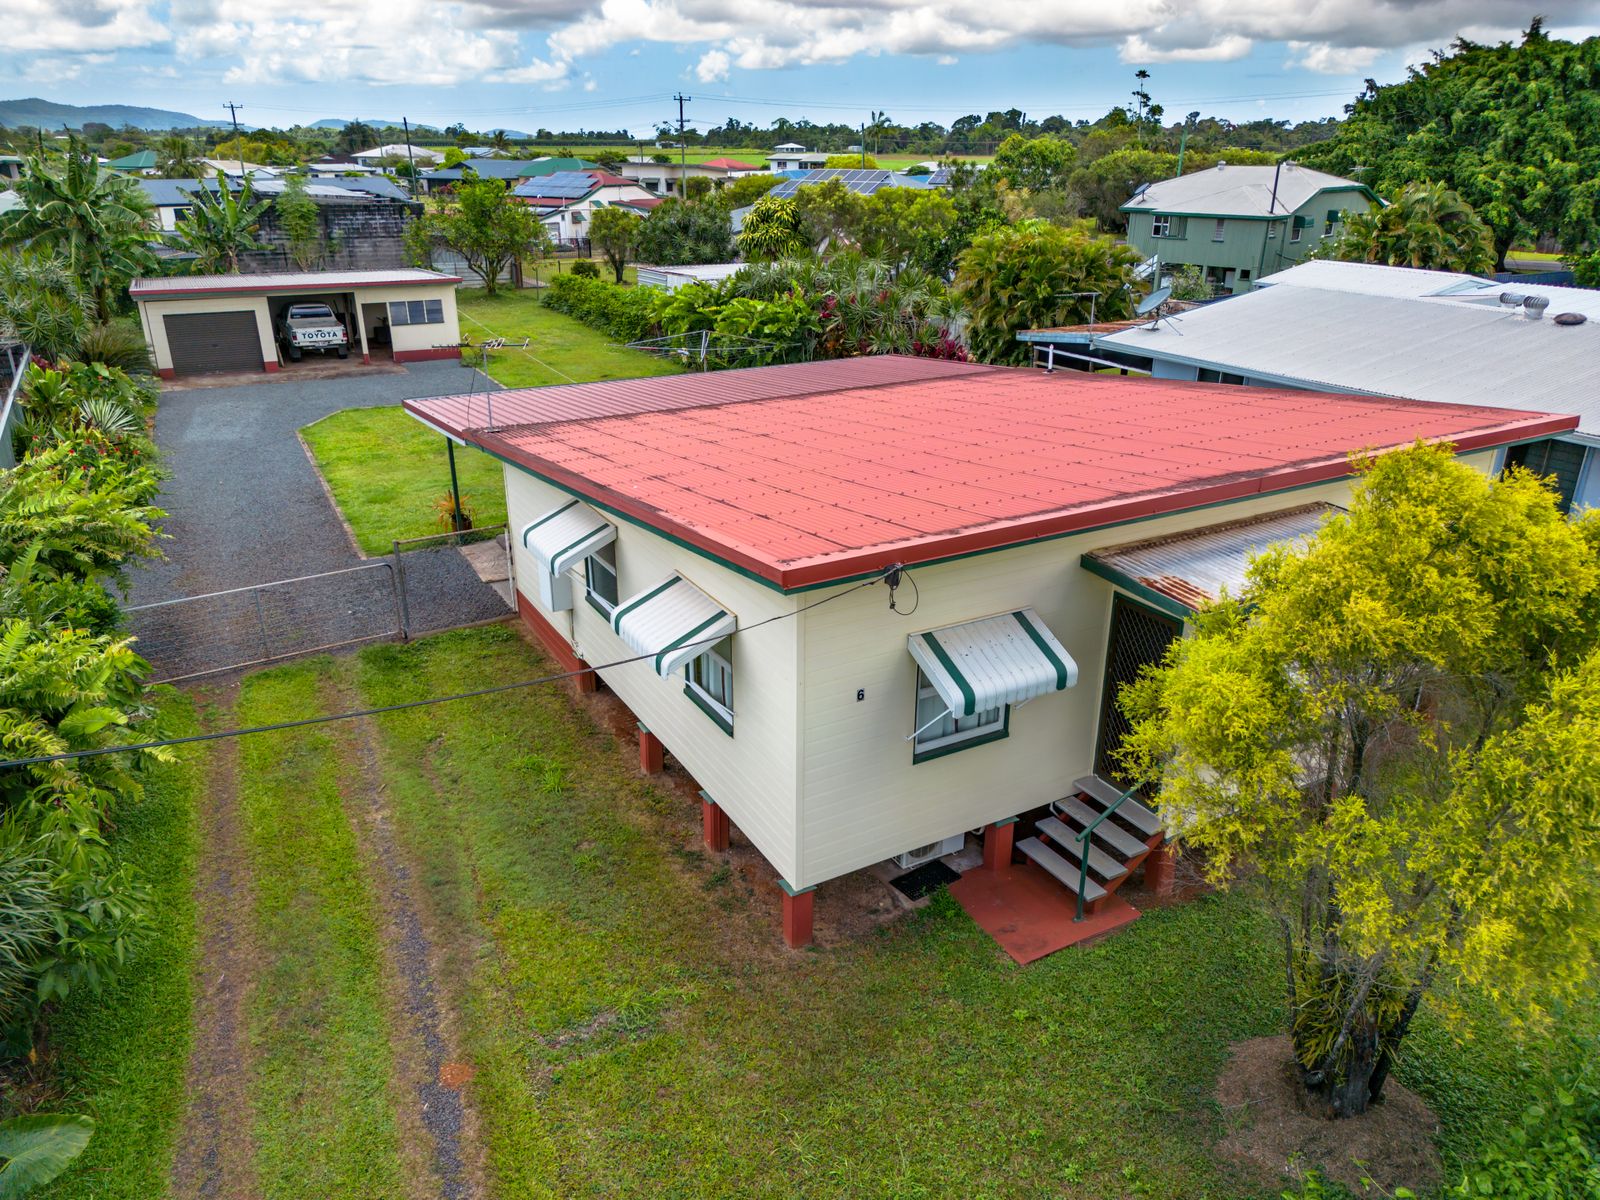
x=751 y=774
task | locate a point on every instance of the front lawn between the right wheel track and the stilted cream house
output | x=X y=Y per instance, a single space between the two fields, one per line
x=638 y=1031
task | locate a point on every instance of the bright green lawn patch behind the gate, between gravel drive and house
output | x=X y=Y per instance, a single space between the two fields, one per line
x=388 y=473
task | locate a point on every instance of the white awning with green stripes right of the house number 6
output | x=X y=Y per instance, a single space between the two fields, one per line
x=999 y=660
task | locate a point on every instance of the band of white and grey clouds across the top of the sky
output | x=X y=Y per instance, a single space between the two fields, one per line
x=447 y=42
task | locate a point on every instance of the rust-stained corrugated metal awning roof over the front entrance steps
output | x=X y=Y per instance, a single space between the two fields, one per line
x=1196 y=567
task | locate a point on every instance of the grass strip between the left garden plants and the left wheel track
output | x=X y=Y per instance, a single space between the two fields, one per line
x=122 y=1055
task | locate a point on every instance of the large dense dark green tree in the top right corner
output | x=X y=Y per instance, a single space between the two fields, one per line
x=1514 y=130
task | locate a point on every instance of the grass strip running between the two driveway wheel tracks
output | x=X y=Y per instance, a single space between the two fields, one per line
x=318 y=1018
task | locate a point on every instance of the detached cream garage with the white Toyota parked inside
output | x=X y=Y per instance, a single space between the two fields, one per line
x=209 y=324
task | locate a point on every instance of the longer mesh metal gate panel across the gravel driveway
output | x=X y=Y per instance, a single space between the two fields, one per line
x=254 y=626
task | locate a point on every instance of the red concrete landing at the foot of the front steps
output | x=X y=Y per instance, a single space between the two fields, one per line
x=1030 y=914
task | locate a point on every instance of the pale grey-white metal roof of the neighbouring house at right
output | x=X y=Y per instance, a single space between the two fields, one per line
x=1442 y=350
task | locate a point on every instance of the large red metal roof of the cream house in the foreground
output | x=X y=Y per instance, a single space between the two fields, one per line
x=826 y=471
